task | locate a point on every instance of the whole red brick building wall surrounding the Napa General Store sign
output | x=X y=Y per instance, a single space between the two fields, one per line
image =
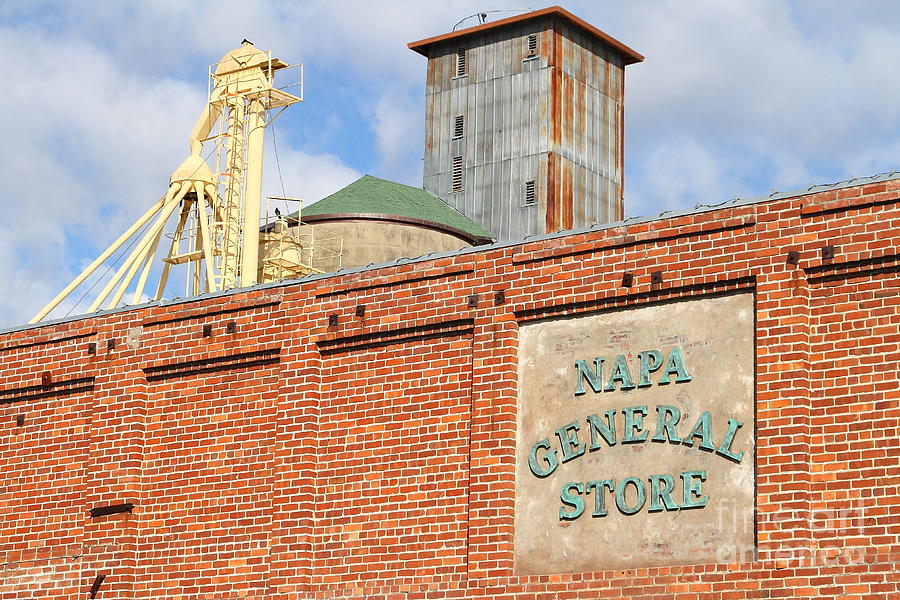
x=374 y=458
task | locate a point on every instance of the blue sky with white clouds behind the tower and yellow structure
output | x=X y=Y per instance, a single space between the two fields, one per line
x=735 y=98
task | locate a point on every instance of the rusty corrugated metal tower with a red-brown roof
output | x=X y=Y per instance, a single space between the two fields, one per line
x=524 y=122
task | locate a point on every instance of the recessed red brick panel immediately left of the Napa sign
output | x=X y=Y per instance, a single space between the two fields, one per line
x=394 y=448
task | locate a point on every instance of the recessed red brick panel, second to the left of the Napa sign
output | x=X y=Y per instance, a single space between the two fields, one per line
x=208 y=470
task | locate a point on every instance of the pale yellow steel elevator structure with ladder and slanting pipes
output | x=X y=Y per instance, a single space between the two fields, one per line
x=217 y=232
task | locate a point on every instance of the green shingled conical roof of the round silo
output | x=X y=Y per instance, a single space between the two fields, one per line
x=373 y=198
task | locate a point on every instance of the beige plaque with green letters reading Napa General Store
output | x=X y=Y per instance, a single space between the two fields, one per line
x=635 y=439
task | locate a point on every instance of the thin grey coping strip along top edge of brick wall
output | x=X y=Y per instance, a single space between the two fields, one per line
x=698 y=209
